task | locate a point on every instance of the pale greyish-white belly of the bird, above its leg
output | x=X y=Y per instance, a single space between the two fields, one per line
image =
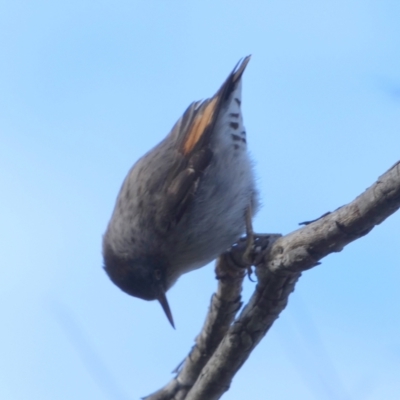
x=216 y=219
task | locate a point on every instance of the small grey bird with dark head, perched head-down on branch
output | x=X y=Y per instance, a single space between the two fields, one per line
x=186 y=201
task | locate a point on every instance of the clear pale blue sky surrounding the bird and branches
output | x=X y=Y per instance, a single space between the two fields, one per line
x=86 y=87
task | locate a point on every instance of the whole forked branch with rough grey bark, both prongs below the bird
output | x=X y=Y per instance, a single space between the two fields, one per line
x=224 y=343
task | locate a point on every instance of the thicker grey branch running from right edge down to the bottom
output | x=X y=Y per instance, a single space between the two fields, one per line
x=279 y=271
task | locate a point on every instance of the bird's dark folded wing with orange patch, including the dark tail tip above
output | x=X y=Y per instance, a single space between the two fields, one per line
x=193 y=134
